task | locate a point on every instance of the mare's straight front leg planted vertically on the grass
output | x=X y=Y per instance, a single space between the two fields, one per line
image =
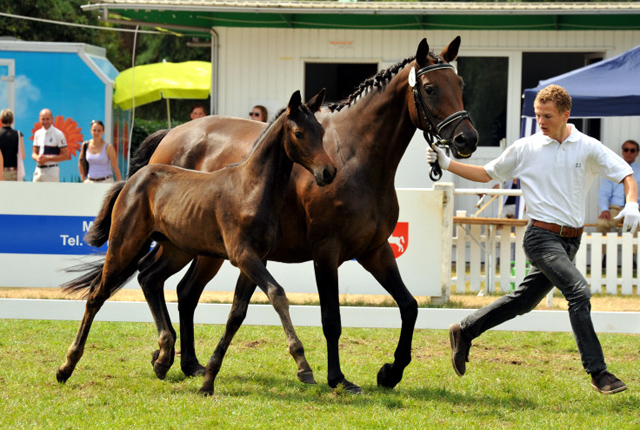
x=326 y=271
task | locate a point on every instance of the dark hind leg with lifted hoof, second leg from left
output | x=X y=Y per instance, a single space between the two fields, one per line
x=162 y=262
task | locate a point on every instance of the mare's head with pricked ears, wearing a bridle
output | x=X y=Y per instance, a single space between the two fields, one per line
x=437 y=106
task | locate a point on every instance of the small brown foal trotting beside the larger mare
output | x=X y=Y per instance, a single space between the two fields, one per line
x=232 y=213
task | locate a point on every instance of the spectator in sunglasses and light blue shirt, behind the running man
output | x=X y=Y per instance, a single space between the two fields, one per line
x=611 y=198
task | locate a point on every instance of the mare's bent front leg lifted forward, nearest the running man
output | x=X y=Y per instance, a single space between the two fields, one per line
x=381 y=263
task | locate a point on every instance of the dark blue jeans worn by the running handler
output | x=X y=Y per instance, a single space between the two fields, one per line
x=551 y=258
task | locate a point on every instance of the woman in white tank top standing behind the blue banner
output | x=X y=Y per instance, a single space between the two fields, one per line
x=100 y=157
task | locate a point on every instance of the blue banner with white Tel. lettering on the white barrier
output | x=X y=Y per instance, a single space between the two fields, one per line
x=46 y=234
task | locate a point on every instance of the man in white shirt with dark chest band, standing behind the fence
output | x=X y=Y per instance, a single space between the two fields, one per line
x=49 y=148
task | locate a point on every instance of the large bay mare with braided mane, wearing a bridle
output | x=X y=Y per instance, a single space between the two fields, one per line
x=366 y=136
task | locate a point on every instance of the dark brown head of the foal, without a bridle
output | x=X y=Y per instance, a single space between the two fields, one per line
x=303 y=138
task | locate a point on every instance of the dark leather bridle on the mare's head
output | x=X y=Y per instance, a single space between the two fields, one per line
x=434 y=129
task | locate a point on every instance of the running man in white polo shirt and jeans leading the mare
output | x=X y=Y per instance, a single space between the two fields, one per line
x=556 y=167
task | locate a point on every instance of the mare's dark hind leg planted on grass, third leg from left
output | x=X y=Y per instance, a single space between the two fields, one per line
x=190 y=288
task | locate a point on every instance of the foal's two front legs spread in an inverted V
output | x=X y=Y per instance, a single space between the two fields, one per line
x=255 y=272
